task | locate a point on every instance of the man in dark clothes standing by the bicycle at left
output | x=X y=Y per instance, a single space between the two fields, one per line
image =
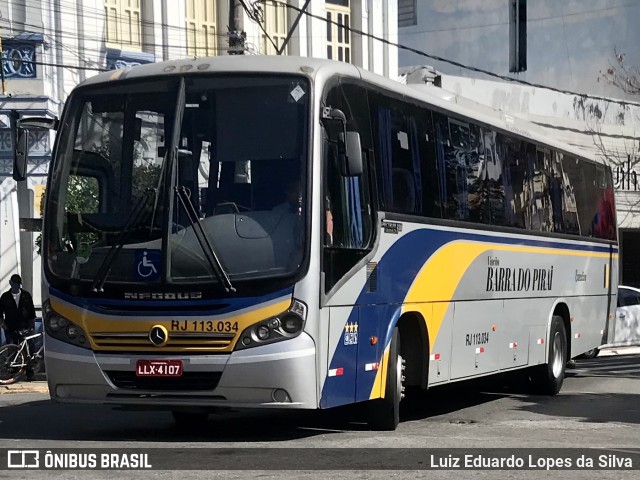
x=17 y=312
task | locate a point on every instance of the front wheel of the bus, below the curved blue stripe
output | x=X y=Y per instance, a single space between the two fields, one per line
x=384 y=413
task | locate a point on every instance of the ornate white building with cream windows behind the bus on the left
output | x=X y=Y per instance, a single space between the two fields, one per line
x=50 y=46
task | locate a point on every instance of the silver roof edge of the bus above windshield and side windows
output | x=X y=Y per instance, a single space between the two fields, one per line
x=318 y=69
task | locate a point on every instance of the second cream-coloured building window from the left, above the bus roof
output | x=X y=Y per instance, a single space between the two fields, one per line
x=201 y=23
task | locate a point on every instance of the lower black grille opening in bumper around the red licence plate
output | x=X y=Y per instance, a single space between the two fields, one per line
x=188 y=381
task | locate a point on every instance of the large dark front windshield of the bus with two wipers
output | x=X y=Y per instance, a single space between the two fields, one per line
x=221 y=200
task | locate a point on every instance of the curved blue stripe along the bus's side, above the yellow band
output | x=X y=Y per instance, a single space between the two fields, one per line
x=397 y=269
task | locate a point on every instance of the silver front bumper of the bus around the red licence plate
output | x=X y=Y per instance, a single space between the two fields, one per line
x=280 y=375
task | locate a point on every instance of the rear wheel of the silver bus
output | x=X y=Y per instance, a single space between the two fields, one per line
x=548 y=378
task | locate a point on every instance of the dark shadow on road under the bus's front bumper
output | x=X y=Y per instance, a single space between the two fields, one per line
x=46 y=420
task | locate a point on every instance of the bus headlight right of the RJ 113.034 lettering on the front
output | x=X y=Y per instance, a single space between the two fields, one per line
x=287 y=325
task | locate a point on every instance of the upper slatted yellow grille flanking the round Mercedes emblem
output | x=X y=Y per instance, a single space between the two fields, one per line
x=177 y=341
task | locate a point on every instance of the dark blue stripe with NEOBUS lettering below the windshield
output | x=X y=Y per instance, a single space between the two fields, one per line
x=190 y=307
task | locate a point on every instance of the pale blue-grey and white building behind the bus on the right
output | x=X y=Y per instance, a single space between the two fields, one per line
x=569 y=47
